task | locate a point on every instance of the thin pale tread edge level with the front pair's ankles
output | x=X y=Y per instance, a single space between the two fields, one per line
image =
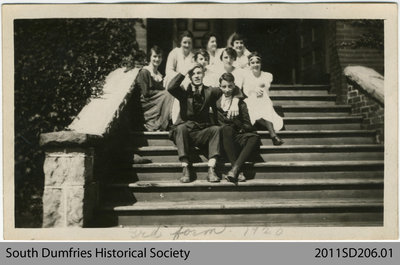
x=274 y=164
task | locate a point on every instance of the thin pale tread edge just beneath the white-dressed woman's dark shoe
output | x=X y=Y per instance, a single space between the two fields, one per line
x=290 y=148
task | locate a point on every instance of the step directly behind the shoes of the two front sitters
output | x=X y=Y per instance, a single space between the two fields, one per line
x=283 y=170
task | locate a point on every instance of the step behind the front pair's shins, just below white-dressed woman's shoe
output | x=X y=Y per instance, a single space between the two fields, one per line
x=281 y=153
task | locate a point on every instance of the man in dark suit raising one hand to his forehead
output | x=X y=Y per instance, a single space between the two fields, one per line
x=194 y=126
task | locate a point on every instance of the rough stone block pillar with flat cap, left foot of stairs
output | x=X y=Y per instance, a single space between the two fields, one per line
x=70 y=190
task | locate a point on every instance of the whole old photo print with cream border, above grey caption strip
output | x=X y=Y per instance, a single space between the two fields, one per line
x=236 y=122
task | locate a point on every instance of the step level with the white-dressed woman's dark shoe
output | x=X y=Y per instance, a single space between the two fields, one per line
x=291 y=137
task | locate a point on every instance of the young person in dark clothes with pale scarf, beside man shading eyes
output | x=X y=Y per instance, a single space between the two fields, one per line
x=238 y=139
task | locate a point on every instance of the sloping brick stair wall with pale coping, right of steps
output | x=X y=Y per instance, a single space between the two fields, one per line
x=366 y=96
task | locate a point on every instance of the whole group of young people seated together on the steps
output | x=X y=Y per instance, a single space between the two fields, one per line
x=209 y=98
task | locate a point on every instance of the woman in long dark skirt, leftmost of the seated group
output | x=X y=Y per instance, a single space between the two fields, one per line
x=155 y=101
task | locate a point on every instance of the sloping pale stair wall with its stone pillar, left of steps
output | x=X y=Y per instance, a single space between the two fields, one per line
x=71 y=185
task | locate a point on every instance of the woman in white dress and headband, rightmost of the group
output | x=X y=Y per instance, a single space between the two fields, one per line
x=261 y=110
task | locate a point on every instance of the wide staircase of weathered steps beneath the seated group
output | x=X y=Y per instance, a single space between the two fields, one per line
x=329 y=172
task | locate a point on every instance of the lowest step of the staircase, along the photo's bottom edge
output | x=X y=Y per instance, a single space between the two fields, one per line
x=277 y=212
